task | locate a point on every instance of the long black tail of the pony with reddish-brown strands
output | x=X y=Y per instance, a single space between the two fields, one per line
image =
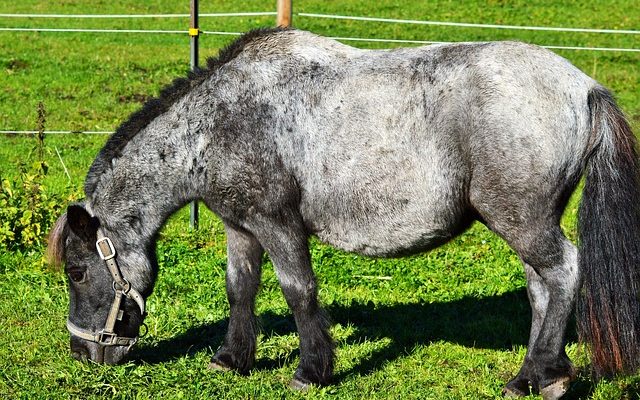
x=608 y=311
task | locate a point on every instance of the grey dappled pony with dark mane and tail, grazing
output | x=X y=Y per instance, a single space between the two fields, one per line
x=378 y=152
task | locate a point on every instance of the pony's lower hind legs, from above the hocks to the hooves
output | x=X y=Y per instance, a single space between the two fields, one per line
x=552 y=273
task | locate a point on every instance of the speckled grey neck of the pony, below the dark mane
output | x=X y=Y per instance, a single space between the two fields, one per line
x=151 y=179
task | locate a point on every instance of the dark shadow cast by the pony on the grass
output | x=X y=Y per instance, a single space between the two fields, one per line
x=497 y=322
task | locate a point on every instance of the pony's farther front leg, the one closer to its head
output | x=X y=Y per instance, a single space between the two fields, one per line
x=244 y=259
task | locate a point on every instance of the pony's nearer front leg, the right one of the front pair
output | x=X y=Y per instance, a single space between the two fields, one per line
x=289 y=251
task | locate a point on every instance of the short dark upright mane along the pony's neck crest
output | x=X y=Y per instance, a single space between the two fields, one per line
x=169 y=95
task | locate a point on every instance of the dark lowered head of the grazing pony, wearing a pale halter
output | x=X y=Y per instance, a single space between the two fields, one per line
x=106 y=307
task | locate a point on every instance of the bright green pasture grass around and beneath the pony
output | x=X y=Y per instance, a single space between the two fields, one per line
x=448 y=324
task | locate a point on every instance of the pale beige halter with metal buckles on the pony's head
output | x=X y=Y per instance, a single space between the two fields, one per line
x=122 y=288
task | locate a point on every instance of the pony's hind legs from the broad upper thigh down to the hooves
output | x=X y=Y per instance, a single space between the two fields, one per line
x=521 y=195
